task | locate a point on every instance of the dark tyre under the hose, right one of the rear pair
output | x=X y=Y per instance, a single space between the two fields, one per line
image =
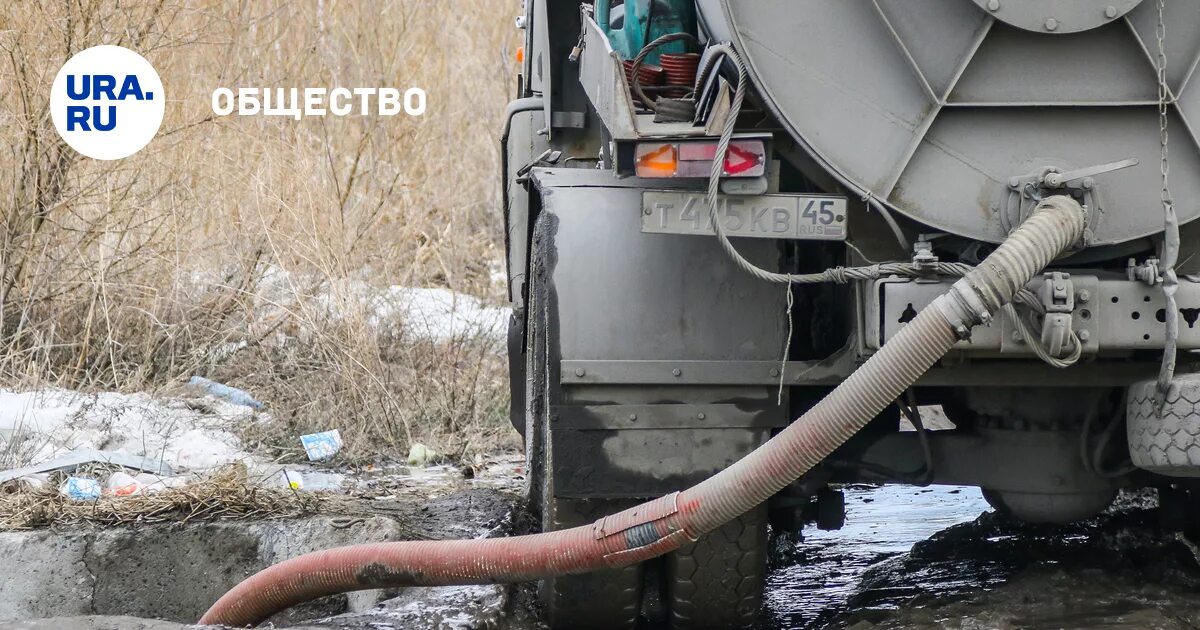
x=718 y=581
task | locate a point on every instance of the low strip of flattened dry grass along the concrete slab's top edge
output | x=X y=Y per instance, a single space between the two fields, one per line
x=225 y=496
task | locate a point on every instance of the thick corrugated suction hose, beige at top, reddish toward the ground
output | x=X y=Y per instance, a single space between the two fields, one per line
x=667 y=524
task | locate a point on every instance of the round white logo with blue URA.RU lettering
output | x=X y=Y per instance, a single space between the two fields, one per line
x=107 y=103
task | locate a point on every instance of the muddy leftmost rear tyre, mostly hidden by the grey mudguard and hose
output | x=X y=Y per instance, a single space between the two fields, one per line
x=599 y=601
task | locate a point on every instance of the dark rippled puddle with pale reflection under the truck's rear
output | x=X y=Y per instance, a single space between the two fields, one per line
x=927 y=559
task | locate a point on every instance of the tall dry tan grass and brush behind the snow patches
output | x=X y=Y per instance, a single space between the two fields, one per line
x=136 y=274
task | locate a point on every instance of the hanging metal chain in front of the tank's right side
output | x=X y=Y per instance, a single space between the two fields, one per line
x=1171 y=223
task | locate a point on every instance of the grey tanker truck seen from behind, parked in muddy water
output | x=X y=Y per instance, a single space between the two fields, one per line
x=717 y=211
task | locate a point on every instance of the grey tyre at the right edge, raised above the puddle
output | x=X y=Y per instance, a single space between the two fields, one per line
x=1167 y=443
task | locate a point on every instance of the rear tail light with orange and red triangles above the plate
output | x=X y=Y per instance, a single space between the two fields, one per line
x=745 y=159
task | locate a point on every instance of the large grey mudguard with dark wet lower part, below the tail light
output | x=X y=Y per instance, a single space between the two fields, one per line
x=616 y=296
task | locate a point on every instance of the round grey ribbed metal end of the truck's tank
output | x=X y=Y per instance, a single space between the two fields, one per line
x=935 y=106
